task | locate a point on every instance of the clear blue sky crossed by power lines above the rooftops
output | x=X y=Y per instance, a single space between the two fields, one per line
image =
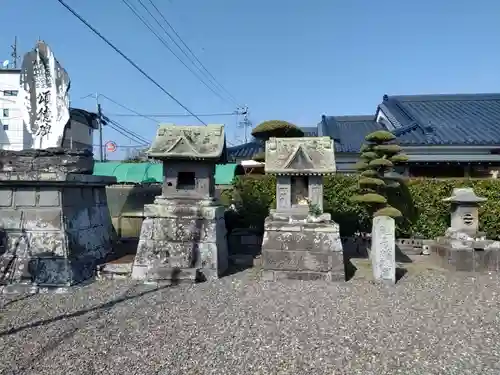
x=286 y=59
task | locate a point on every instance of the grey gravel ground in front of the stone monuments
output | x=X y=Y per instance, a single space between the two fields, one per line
x=430 y=323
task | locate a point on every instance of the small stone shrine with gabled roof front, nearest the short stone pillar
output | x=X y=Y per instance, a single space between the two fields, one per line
x=300 y=241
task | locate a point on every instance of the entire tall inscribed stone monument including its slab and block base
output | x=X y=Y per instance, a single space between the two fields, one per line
x=55 y=226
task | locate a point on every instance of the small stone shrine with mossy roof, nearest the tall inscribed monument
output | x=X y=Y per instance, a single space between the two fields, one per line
x=183 y=236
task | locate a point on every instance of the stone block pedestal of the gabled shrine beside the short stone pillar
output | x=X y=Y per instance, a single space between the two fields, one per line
x=305 y=251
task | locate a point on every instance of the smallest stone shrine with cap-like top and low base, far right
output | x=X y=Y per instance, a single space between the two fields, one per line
x=464 y=247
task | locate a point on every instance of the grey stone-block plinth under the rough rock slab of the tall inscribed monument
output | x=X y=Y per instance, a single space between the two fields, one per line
x=53 y=232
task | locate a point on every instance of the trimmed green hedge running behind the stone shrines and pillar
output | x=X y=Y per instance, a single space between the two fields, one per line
x=425 y=215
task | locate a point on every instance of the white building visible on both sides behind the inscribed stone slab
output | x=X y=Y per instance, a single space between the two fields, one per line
x=14 y=135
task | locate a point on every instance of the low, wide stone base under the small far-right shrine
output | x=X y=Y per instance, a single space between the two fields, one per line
x=467 y=255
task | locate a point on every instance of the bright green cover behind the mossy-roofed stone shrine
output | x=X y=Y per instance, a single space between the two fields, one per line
x=138 y=173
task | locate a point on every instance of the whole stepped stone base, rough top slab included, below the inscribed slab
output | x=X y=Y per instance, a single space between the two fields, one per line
x=55 y=226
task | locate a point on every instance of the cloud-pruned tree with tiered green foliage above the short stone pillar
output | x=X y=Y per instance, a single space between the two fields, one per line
x=378 y=156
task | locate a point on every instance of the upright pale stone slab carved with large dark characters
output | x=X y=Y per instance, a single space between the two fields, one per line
x=44 y=98
